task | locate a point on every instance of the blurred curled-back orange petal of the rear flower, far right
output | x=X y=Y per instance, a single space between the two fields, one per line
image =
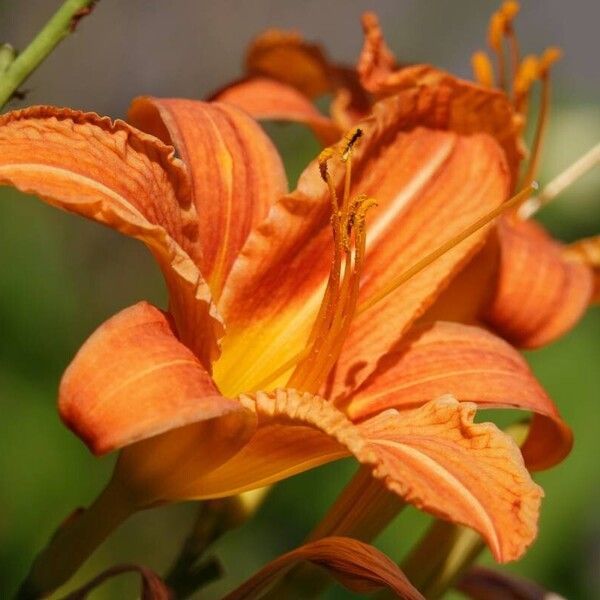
x=539 y=294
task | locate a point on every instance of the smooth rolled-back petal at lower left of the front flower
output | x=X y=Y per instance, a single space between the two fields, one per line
x=133 y=379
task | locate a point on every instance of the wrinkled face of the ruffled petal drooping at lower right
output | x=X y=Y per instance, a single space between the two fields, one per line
x=469 y=473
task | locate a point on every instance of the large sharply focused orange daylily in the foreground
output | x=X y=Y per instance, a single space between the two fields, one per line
x=249 y=269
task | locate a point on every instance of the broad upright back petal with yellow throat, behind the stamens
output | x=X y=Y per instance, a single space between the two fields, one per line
x=429 y=184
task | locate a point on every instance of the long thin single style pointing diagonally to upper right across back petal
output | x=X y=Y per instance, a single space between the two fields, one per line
x=396 y=282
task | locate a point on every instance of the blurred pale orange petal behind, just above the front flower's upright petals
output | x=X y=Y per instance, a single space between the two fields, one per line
x=270 y=100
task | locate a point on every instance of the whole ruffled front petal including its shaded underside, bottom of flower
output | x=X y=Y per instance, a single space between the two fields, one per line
x=434 y=457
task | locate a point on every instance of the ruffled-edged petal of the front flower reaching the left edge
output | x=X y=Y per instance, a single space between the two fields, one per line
x=112 y=173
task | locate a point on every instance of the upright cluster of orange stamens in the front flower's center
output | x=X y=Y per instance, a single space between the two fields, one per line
x=341 y=293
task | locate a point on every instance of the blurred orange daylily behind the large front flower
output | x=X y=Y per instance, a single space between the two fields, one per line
x=537 y=291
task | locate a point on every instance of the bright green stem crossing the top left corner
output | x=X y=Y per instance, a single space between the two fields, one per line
x=60 y=25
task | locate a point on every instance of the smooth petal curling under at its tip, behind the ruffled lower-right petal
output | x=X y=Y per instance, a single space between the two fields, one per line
x=472 y=365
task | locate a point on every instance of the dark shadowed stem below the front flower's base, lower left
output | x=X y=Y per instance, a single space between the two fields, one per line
x=75 y=540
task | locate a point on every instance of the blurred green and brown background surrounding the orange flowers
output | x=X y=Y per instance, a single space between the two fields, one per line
x=61 y=276
